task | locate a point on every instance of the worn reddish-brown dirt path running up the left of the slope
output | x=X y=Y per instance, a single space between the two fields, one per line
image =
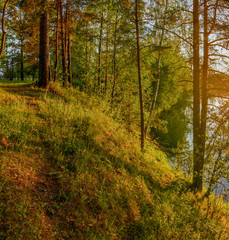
x=28 y=171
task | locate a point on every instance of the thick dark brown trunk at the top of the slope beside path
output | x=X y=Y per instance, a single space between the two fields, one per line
x=44 y=46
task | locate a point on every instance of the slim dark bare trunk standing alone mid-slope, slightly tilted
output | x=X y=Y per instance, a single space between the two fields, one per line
x=139 y=77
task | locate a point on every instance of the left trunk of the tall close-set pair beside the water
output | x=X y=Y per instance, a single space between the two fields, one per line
x=197 y=162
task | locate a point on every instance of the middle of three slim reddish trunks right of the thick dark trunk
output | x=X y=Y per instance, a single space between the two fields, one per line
x=63 y=50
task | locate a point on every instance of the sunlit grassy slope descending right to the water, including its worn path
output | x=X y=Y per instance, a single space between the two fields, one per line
x=69 y=171
